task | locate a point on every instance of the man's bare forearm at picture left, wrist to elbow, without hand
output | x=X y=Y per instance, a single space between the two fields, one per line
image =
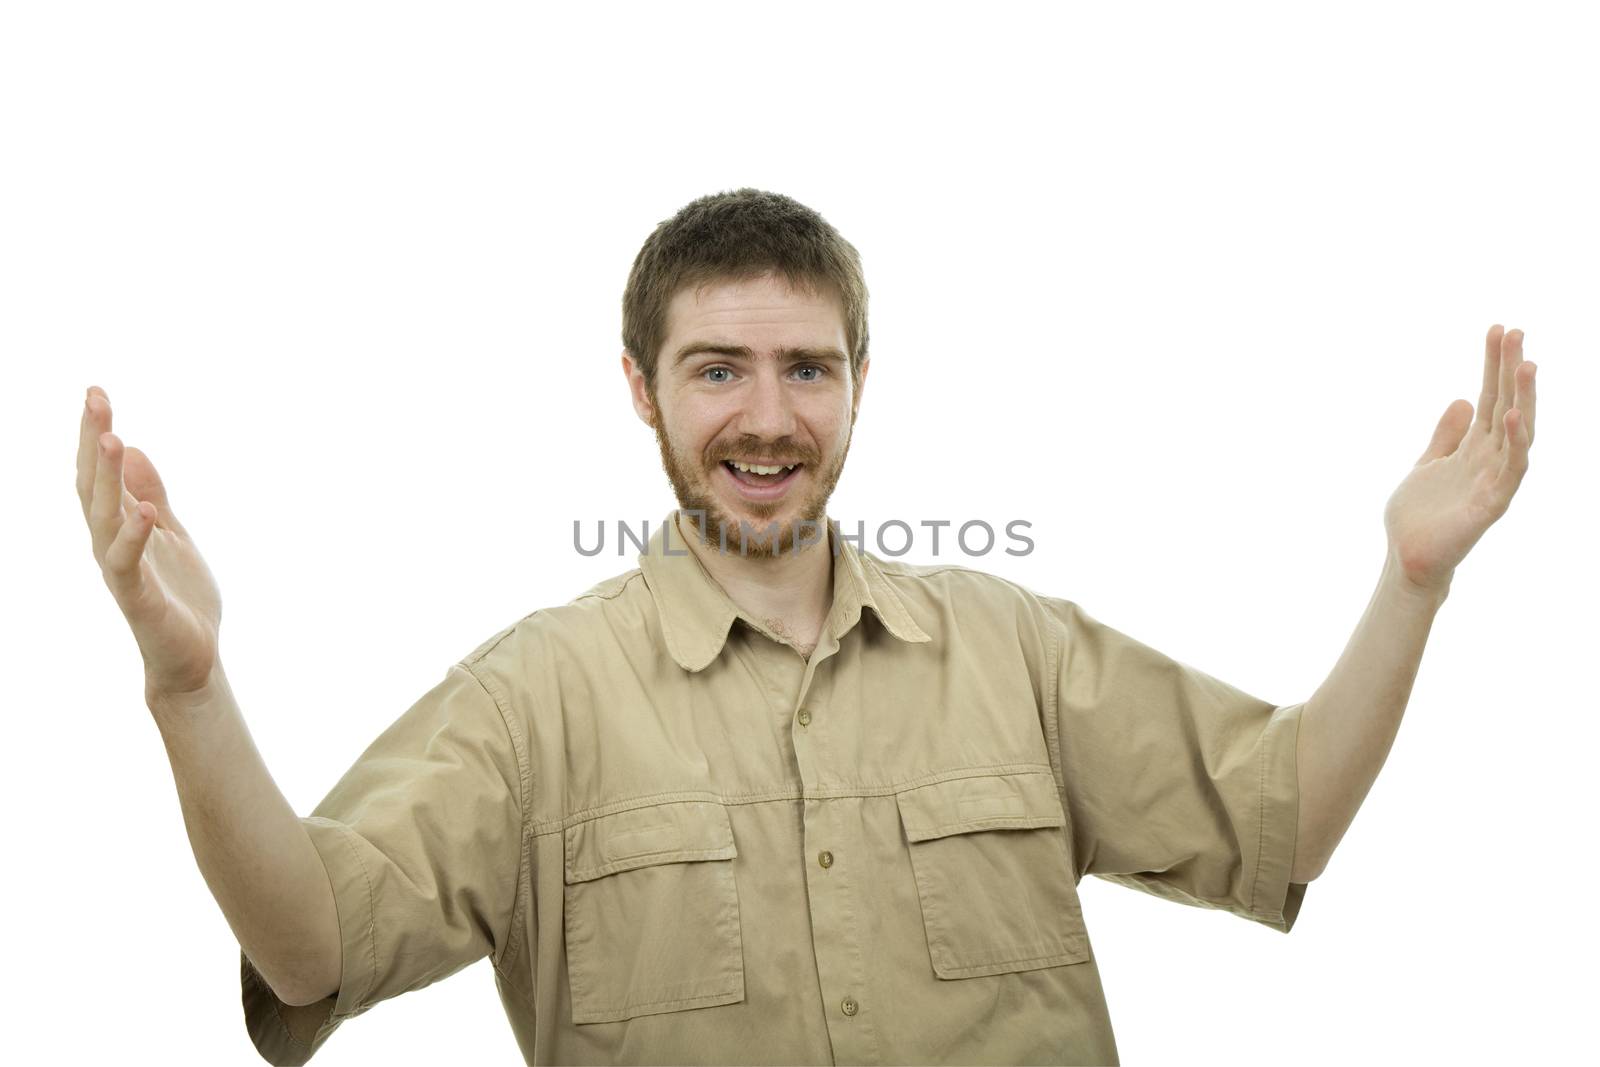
x=252 y=849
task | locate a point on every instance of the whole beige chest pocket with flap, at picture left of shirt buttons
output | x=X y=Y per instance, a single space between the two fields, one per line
x=652 y=913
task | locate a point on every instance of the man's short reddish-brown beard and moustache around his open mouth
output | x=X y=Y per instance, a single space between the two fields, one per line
x=724 y=532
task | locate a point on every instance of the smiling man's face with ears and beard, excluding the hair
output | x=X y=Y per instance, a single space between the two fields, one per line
x=751 y=374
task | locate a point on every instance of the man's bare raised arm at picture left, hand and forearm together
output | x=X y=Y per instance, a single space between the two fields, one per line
x=255 y=855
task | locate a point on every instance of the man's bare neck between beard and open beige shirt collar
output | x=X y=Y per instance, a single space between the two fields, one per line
x=790 y=593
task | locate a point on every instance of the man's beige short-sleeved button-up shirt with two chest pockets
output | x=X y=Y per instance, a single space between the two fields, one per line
x=679 y=841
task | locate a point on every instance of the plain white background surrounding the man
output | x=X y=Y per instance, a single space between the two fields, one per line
x=1186 y=289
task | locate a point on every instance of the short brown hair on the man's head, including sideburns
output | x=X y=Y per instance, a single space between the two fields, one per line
x=738 y=236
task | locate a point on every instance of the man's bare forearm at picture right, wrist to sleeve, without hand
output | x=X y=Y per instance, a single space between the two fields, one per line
x=1351 y=721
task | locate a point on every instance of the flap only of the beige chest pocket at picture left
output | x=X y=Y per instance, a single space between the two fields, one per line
x=662 y=834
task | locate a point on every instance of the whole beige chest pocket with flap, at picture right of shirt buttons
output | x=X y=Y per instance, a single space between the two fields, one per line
x=991 y=861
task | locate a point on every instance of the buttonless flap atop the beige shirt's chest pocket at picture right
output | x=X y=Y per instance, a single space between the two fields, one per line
x=990 y=802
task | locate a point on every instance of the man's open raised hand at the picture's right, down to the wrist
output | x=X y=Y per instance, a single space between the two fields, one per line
x=1470 y=473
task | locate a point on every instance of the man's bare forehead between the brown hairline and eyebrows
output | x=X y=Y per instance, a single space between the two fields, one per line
x=756 y=306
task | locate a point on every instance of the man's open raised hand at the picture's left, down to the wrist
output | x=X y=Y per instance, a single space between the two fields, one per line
x=148 y=559
